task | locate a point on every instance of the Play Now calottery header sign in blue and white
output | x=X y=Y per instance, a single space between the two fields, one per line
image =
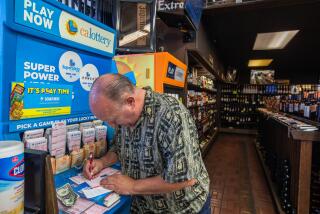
x=45 y=17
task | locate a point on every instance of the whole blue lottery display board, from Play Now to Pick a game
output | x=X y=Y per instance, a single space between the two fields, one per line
x=50 y=55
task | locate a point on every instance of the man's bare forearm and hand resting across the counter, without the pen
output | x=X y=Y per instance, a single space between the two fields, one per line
x=123 y=184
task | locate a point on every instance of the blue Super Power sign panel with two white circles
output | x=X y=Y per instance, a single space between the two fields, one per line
x=38 y=62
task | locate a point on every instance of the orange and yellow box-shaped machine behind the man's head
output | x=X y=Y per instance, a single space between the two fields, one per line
x=161 y=71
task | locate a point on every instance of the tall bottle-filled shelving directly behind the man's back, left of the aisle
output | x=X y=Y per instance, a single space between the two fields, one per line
x=202 y=96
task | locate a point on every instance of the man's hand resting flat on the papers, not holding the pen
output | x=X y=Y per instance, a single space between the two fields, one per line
x=121 y=184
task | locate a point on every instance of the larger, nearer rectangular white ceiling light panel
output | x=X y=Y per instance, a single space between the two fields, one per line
x=273 y=40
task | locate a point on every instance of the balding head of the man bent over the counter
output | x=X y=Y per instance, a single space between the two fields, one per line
x=115 y=100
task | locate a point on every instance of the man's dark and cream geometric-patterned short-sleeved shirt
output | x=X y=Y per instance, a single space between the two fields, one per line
x=163 y=142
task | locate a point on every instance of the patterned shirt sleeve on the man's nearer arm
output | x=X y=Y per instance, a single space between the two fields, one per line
x=177 y=151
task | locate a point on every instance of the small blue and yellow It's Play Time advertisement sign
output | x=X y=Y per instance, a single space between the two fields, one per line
x=30 y=100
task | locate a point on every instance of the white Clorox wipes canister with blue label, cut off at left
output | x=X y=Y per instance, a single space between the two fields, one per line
x=11 y=177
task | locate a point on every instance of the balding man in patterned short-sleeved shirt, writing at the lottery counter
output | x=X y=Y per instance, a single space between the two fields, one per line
x=157 y=145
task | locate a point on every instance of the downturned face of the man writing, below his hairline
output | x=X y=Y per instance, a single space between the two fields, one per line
x=114 y=113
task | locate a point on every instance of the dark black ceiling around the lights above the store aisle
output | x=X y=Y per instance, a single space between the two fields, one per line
x=233 y=30
